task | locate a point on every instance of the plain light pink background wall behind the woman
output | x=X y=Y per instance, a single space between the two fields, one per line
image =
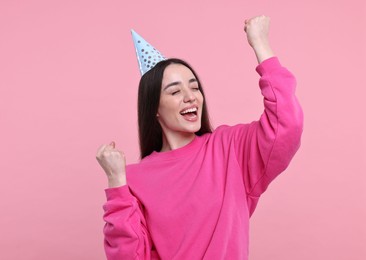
x=68 y=83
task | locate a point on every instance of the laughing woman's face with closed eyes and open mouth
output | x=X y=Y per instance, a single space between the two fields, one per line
x=180 y=107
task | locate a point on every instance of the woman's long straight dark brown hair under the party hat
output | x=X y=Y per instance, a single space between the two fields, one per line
x=150 y=132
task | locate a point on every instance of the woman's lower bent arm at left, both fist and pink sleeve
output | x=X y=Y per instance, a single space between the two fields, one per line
x=125 y=233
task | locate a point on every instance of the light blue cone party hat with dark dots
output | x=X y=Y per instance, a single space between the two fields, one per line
x=147 y=55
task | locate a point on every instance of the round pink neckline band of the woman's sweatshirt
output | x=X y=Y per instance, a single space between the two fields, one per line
x=176 y=153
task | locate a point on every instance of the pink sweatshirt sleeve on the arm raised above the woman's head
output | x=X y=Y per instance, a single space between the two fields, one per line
x=265 y=148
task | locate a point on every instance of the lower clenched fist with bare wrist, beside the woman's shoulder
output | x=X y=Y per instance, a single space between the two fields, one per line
x=113 y=163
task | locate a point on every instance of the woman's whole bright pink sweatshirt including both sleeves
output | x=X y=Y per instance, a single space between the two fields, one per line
x=195 y=202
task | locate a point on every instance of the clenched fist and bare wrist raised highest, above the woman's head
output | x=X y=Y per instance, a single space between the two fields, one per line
x=257 y=30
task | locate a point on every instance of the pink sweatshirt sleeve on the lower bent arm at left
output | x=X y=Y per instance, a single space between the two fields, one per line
x=125 y=232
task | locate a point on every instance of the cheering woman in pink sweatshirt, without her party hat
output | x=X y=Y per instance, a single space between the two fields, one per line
x=192 y=193
